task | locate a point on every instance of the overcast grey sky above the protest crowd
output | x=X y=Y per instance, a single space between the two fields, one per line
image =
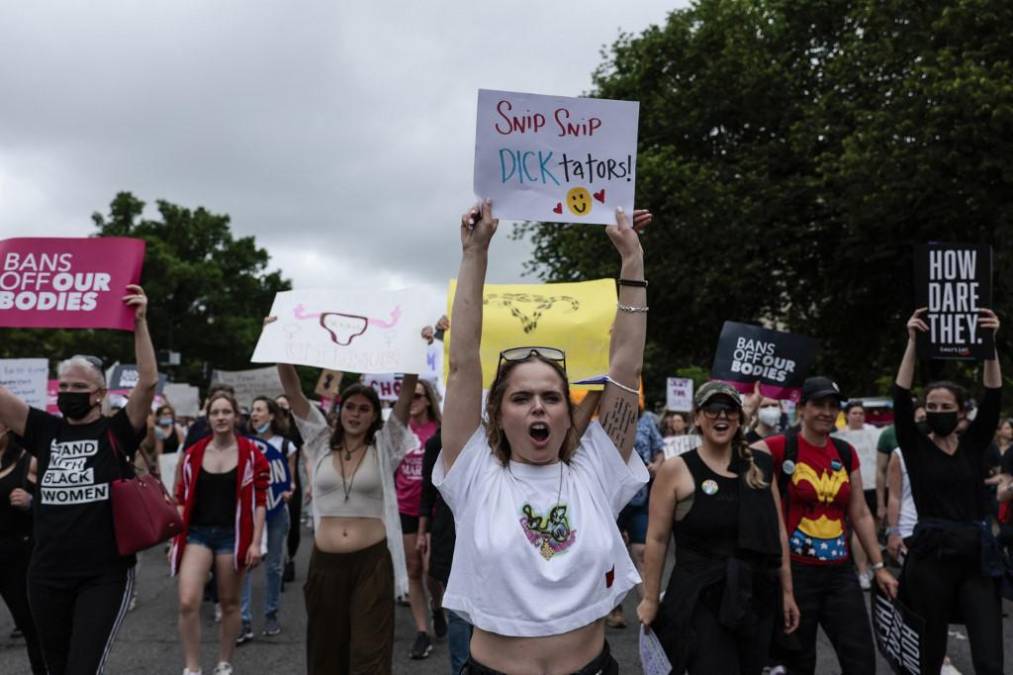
x=340 y=134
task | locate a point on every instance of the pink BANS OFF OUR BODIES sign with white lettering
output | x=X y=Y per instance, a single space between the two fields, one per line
x=68 y=283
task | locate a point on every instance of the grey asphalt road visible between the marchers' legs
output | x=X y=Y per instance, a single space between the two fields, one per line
x=149 y=642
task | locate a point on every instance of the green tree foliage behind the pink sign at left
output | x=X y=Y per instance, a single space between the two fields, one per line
x=209 y=293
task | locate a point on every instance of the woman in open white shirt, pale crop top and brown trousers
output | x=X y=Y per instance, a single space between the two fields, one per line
x=358 y=564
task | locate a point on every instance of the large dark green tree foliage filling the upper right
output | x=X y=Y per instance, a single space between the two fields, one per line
x=794 y=154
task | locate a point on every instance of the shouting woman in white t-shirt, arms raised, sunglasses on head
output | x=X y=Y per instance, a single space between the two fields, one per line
x=539 y=562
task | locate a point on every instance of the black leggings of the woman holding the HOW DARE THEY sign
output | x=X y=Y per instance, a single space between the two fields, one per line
x=934 y=588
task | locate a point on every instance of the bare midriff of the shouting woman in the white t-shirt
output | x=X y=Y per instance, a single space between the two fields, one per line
x=554 y=655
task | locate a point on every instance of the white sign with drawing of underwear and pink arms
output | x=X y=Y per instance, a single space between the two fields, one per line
x=361 y=332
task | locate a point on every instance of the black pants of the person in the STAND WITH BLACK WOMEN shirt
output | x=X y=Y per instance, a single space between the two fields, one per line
x=79 y=619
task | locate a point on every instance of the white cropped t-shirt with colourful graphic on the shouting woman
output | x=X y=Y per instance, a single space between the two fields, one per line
x=523 y=568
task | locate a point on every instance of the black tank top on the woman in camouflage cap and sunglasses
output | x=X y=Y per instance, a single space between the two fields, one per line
x=712 y=527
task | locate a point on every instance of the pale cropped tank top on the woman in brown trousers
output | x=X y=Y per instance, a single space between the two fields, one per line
x=365 y=489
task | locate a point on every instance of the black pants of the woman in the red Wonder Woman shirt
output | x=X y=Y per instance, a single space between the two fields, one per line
x=829 y=595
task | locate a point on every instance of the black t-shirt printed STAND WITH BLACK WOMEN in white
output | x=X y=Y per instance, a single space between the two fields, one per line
x=74 y=532
